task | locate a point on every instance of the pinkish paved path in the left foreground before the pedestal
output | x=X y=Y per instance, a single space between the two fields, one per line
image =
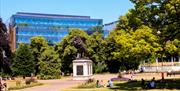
x=54 y=85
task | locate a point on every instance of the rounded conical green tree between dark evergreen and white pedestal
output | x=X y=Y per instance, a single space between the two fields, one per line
x=49 y=64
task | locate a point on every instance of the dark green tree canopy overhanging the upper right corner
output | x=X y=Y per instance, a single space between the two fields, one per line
x=160 y=15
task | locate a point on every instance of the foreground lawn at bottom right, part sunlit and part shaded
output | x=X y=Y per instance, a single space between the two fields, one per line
x=167 y=84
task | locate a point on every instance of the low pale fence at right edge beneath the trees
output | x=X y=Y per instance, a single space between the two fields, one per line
x=161 y=68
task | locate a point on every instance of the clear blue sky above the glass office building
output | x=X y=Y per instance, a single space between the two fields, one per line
x=108 y=10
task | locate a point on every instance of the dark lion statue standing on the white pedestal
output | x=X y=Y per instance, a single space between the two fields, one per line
x=78 y=43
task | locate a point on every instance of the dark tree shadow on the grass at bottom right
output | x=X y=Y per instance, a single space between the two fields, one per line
x=136 y=85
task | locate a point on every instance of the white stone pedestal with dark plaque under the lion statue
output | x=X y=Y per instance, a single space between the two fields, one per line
x=82 y=69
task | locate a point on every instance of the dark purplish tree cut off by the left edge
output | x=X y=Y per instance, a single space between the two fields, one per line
x=5 y=51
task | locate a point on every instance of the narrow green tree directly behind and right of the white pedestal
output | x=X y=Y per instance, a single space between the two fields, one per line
x=96 y=48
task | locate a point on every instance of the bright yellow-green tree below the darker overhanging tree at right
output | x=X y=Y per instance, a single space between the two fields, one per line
x=135 y=46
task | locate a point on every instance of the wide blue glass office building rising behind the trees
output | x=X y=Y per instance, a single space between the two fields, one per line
x=52 y=26
